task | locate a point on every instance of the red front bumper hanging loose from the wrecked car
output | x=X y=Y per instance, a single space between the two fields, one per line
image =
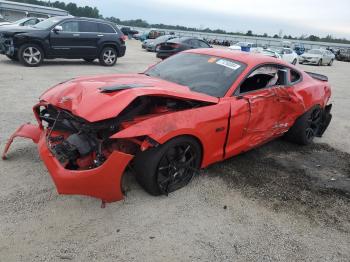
x=103 y=182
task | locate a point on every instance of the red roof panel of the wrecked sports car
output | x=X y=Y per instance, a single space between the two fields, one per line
x=251 y=59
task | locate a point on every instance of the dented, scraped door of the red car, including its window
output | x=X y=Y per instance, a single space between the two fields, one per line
x=257 y=110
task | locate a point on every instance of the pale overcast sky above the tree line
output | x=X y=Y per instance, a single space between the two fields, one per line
x=295 y=17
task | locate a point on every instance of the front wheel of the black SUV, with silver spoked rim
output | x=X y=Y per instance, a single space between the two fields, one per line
x=30 y=55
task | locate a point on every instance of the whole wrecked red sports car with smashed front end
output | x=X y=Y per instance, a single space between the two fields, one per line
x=185 y=113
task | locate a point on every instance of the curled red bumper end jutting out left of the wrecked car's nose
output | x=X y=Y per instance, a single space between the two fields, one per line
x=27 y=131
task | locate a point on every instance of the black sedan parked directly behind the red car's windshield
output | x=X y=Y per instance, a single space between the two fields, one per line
x=176 y=45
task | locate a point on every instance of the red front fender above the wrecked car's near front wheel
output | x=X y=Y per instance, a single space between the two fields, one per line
x=208 y=124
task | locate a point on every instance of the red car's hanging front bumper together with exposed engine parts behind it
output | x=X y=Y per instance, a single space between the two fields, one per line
x=79 y=155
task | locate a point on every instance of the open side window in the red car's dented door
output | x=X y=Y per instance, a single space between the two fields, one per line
x=263 y=77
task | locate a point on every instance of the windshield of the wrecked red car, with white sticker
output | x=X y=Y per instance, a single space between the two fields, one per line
x=206 y=74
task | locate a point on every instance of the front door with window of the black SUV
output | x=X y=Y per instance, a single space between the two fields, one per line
x=65 y=43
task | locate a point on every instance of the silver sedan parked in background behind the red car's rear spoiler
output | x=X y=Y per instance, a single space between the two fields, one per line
x=317 y=57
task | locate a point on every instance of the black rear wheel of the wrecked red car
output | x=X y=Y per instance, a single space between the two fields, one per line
x=306 y=127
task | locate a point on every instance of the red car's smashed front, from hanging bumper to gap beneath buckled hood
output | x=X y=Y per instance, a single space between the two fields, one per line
x=83 y=157
